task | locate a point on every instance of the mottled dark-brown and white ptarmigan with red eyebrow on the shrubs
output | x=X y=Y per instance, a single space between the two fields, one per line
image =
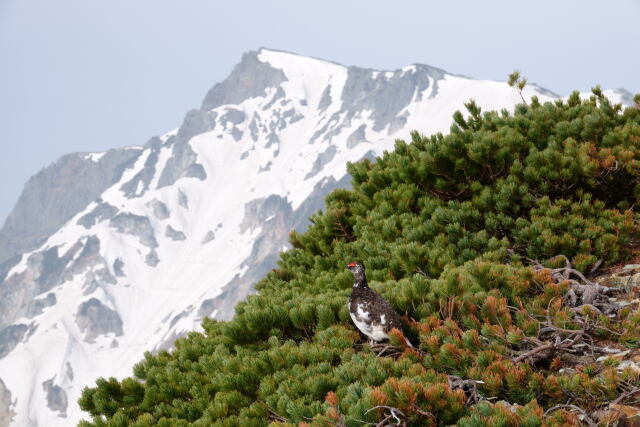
x=370 y=312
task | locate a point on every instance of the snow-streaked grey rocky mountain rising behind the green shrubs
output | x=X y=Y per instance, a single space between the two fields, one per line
x=108 y=255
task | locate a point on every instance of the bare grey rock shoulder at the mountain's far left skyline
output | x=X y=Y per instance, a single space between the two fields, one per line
x=55 y=194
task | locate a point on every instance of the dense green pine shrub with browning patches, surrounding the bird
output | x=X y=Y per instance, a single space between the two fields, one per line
x=445 y=226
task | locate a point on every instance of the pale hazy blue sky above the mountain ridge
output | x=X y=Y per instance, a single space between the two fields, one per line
x=89 y=75
